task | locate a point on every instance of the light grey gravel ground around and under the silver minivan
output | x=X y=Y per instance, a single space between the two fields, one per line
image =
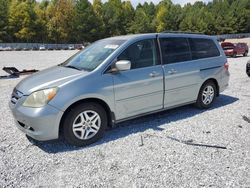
x=153 y=151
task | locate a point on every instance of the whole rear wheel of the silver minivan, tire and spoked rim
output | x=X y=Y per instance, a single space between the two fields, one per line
x=211 y=90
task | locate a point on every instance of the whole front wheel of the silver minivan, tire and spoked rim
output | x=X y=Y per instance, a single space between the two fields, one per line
x=79 y=129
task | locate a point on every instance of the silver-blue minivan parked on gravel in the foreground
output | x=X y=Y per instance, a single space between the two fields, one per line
x=117 y=79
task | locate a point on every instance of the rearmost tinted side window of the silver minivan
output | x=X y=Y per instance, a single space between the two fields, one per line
x=203 y=48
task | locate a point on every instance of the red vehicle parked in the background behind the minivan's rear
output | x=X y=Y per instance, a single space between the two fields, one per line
x=234 y=49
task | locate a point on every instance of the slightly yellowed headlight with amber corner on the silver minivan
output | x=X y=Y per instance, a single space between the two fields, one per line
x=40 y=98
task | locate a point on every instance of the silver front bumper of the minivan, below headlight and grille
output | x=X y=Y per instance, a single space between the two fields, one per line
x=39 y=123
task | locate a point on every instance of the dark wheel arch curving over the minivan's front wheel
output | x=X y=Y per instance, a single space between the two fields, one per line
x=110 y=114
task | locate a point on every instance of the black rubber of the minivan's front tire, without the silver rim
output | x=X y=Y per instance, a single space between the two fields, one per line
x=71 y=116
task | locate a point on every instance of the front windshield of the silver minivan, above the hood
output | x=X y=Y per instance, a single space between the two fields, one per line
x=94 y=55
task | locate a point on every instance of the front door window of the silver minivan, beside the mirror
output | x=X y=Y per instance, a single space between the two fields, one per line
x=141 y=54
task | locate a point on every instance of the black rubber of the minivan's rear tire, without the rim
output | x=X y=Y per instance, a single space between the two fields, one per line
x=199 y=103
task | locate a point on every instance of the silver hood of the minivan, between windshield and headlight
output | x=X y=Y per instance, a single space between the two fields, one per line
x=51 y=77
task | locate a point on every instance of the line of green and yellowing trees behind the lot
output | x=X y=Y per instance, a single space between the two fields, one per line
x=77 y=21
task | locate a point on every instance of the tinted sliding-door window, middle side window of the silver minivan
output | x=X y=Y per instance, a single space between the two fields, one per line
x=175 y=50
